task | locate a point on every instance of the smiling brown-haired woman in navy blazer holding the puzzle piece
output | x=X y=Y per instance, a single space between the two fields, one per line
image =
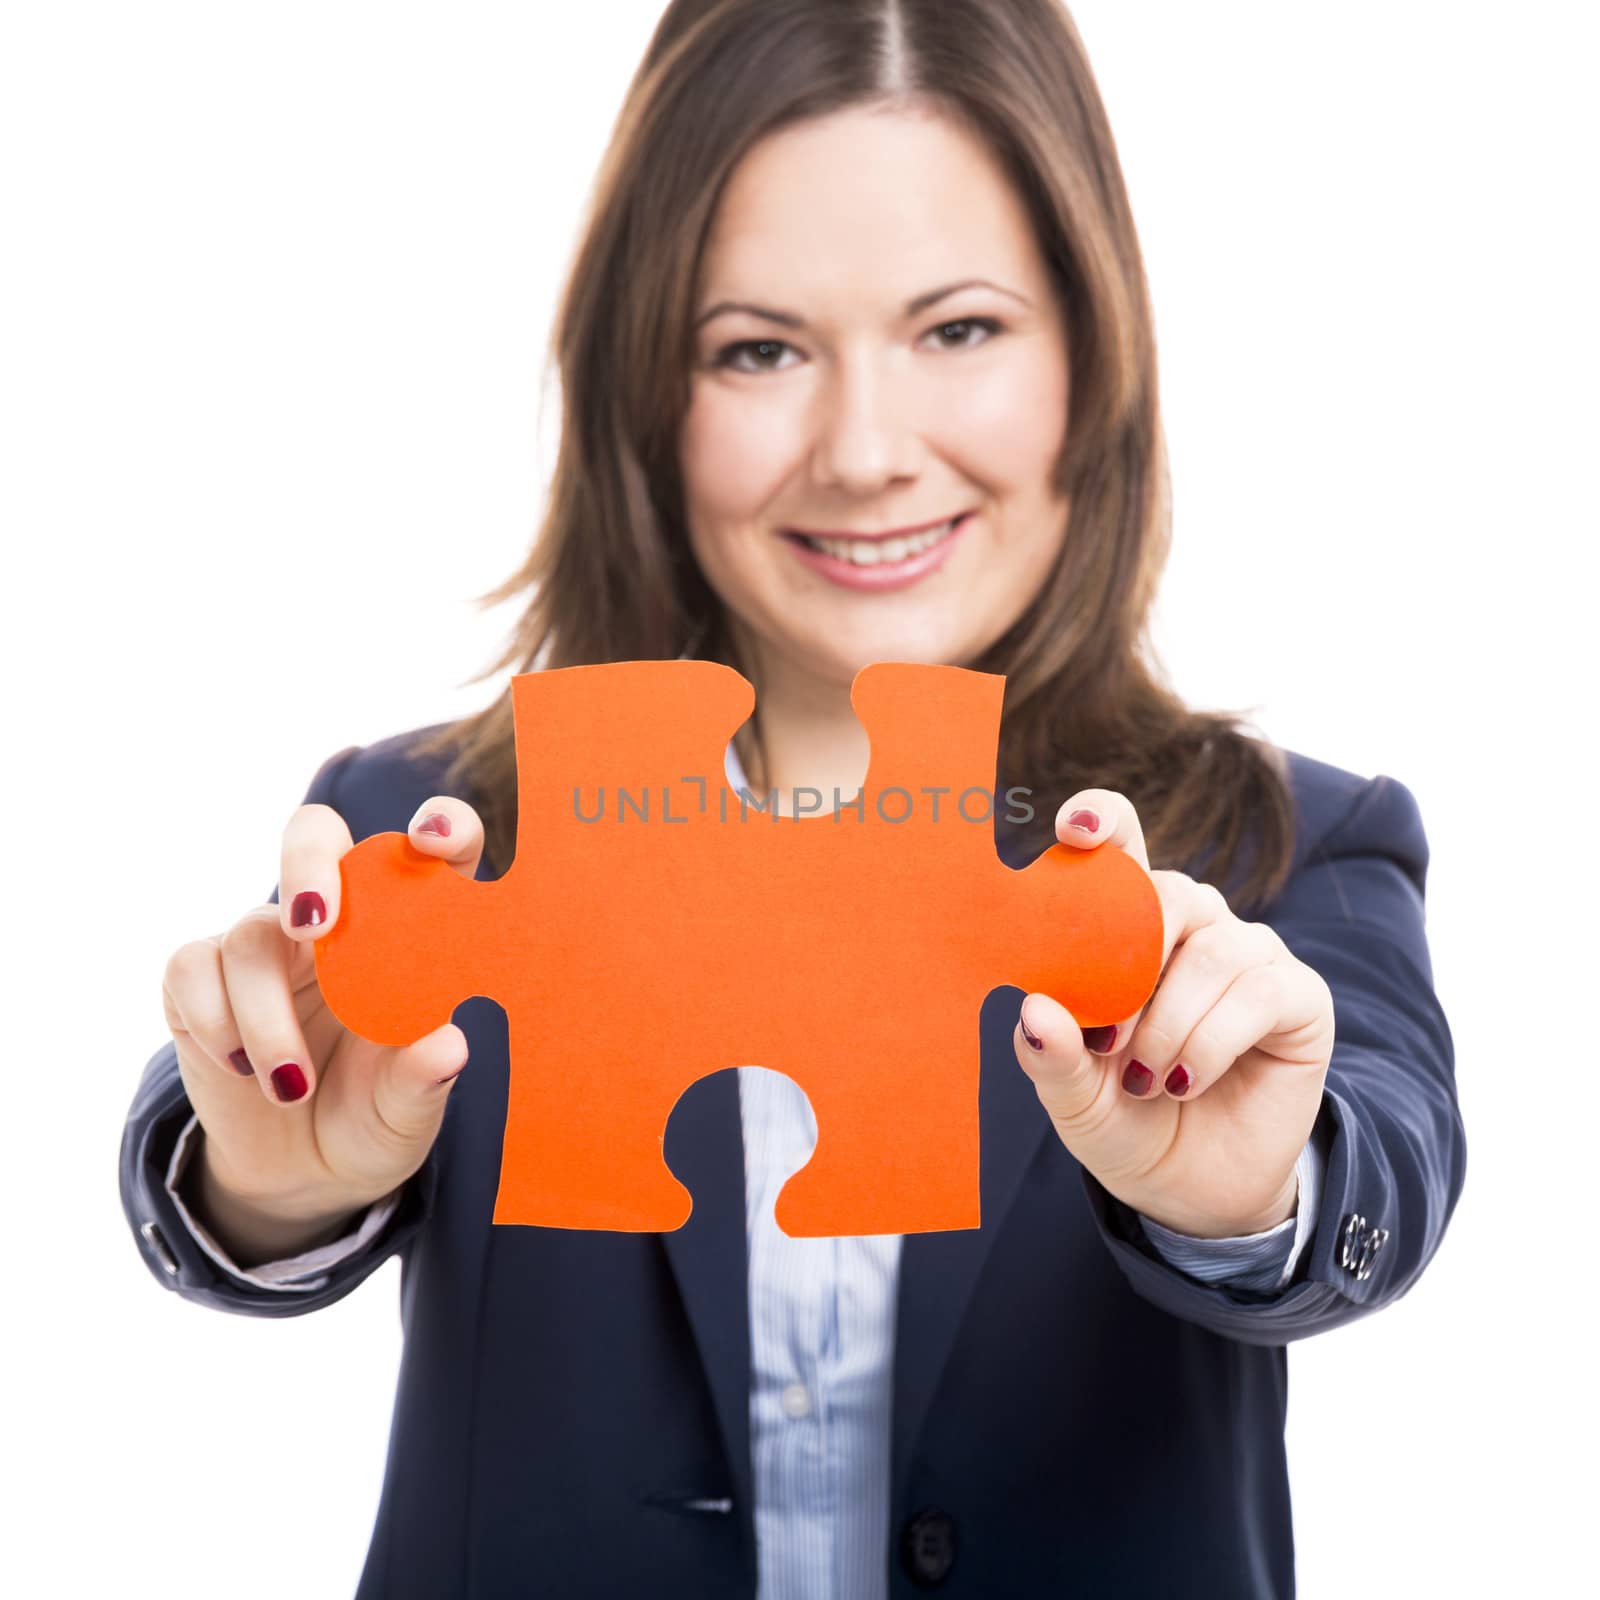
x=857 y=366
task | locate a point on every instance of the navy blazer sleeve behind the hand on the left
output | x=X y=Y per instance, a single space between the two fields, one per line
x=177 y=1260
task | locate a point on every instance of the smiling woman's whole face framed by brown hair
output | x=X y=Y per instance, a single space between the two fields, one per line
x=839 y=393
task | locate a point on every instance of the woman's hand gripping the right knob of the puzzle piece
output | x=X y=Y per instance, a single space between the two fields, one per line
x=1199 y=1108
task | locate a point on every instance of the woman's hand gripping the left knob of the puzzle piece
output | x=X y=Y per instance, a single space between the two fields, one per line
x=306 y=1122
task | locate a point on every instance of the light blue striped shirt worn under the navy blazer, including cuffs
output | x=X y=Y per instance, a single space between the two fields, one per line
x=822 y=1340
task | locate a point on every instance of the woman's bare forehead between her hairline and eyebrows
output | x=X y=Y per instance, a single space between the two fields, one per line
x=868 y=199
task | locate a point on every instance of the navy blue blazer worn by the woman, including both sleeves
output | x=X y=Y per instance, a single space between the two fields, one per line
x=572 y=1412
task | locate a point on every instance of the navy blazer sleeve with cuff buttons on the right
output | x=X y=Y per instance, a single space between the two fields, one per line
x=1390 y=1118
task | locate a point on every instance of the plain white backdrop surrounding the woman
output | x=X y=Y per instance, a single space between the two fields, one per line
x=278 y=286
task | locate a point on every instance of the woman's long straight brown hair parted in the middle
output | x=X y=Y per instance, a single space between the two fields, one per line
x=610 y=575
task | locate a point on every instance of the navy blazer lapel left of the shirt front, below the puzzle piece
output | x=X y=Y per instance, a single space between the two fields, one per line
x=705 y=1148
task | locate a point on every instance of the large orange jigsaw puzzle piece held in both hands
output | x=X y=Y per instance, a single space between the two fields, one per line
x=686 y=932
